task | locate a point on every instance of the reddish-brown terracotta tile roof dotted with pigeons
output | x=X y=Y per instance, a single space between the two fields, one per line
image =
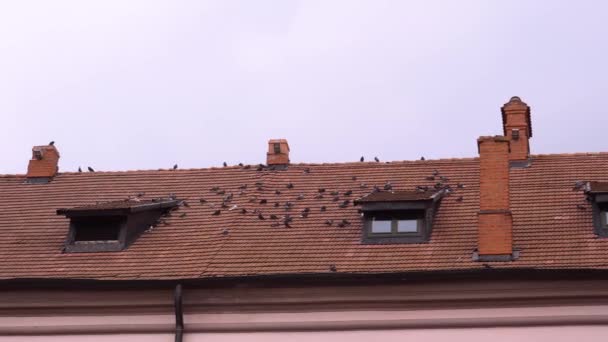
x=549 y=228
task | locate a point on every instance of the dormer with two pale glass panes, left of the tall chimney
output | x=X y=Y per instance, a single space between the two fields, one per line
x=398 y=217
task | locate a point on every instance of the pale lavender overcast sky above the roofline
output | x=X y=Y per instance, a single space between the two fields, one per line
x=125 y=85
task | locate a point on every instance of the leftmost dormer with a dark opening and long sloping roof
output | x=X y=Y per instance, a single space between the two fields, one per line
x=111 y=226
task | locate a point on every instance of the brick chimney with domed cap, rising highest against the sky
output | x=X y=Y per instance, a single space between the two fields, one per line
x=518 y=128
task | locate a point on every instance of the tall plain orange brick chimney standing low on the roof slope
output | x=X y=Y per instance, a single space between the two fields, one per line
x=495 y=222
